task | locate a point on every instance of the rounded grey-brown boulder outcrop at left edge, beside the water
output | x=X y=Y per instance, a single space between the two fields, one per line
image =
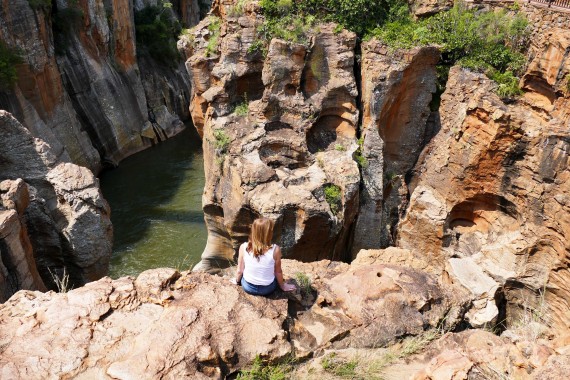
x=61 y=209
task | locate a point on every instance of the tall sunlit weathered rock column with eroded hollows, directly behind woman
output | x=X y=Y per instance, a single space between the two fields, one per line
x=288 y=148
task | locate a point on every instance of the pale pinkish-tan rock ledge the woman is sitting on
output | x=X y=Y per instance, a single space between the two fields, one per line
x=167 y=324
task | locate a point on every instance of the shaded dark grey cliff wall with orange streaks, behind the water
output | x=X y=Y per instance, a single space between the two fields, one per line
x=81 y=88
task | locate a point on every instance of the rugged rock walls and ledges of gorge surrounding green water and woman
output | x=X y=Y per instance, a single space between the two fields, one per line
x=418 y=179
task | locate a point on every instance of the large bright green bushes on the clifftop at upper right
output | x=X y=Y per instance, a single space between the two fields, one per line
x=488 y=42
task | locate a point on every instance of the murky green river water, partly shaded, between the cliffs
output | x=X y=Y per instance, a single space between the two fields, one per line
x=156 y=207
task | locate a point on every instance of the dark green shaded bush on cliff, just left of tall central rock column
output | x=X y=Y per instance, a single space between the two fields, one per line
x=157 y=30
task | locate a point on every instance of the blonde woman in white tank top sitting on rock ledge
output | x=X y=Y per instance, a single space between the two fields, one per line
x=259 y=261
